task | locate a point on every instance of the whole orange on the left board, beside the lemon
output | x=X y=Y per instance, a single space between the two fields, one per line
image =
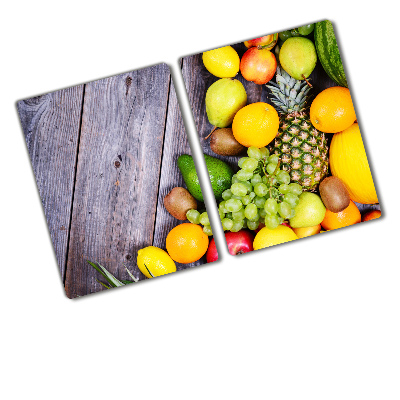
x=186 y=243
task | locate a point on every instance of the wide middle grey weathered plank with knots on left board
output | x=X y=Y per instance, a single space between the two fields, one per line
x=117 y=175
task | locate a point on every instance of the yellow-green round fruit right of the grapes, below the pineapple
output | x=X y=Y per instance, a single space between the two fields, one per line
x=309 y=212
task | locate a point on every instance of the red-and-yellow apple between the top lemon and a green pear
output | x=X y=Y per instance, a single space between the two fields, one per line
x=258 y=65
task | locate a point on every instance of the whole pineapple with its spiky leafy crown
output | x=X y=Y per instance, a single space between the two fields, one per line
x=303 y=150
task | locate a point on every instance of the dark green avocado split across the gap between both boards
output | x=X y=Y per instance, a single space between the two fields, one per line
x=220 y=175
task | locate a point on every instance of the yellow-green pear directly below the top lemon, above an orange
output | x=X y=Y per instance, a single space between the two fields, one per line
x=224 y=98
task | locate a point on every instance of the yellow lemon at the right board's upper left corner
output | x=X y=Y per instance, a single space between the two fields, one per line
x=223 y=62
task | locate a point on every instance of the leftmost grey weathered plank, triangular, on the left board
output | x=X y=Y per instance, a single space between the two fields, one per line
x=51 y=127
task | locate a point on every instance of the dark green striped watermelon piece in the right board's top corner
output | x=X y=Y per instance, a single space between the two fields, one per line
x=328 y=52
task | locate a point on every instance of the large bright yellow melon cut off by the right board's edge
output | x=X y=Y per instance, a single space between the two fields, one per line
x=349 y=163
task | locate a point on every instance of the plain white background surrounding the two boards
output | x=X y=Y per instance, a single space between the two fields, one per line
x=314 y=319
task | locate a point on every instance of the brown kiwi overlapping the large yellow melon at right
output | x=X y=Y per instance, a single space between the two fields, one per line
x=334 y=194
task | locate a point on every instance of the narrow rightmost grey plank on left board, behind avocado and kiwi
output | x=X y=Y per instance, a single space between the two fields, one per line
x=175 y=144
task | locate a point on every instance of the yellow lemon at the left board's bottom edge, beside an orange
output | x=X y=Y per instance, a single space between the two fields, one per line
x=157 y=261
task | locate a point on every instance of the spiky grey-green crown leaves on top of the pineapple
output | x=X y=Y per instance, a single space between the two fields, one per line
x=289 y=94
